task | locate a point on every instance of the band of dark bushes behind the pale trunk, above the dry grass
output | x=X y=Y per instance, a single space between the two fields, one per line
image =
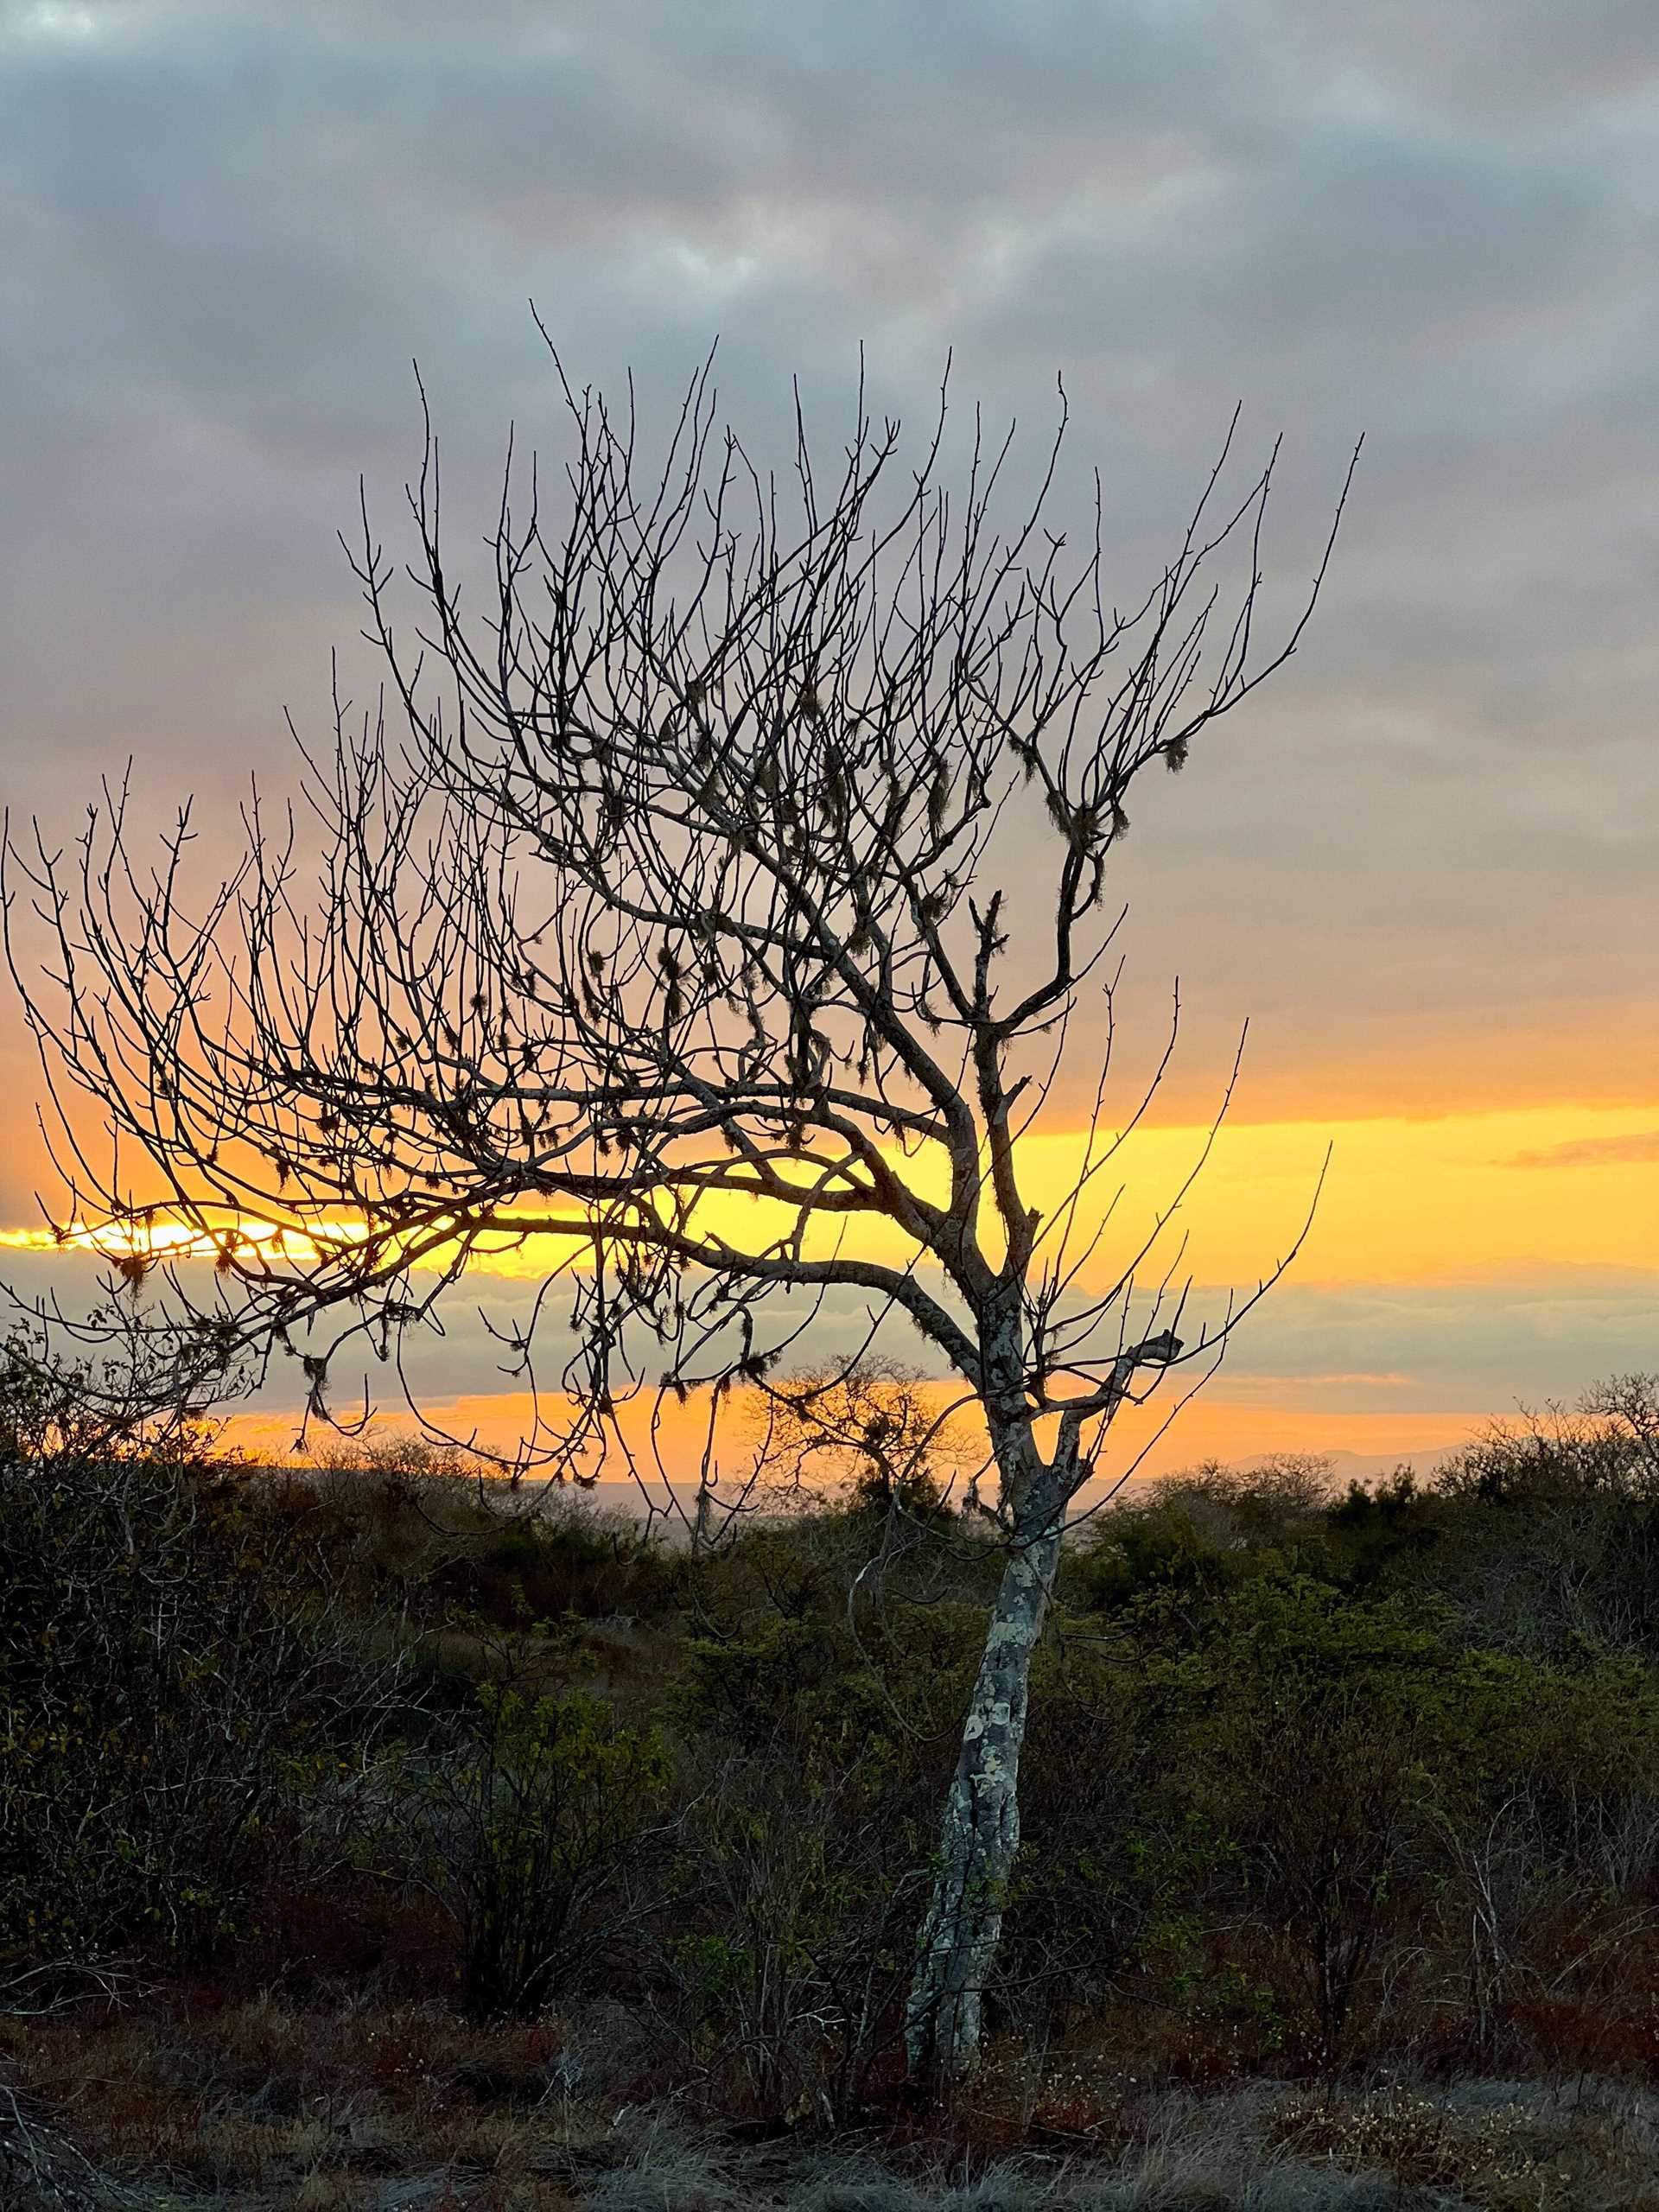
x=1300 y=1795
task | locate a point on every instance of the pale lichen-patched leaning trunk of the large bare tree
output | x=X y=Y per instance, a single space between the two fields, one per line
x=981 y=1828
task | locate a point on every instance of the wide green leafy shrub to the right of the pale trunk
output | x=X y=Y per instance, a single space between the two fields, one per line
x=1350 y=1755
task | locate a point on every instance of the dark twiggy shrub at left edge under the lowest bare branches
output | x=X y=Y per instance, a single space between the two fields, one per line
x=174 y=1680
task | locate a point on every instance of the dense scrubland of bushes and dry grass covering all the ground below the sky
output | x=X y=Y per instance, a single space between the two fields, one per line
x=384 y=1837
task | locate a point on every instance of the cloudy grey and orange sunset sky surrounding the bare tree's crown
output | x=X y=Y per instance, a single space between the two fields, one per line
x=1421 y=864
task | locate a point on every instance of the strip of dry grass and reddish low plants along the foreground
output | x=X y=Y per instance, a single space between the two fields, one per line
x=194 y=2100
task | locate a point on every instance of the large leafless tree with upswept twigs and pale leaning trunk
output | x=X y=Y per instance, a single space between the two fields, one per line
x=713 y=910
